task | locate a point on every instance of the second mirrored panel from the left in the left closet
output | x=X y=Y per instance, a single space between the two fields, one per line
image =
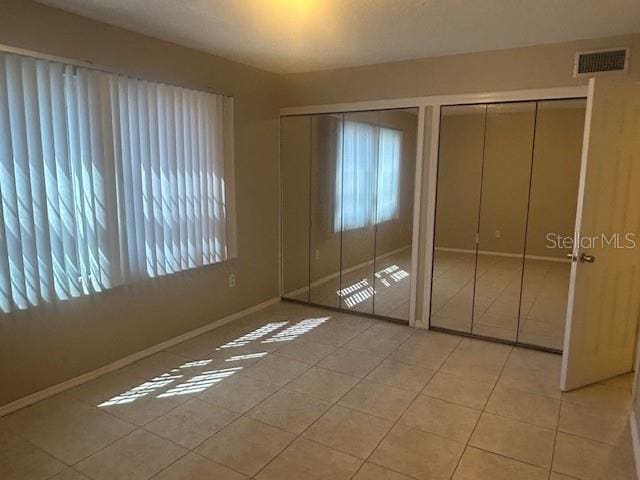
x=325 y=211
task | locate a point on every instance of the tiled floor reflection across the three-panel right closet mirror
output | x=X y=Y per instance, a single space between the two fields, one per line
x=497 y=297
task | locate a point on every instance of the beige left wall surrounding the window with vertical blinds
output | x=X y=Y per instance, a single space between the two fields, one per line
x=46 y=346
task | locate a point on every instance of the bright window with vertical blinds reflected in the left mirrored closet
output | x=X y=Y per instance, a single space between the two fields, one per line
x=367 y=183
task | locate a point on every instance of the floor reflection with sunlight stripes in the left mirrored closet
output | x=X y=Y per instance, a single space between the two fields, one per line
x=355 y=289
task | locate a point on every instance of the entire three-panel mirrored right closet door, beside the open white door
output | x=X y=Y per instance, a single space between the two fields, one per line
x=507 y=184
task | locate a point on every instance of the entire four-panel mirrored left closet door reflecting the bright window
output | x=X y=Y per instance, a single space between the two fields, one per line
x=347 y=210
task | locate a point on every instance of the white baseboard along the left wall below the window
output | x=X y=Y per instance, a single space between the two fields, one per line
x=123 y=362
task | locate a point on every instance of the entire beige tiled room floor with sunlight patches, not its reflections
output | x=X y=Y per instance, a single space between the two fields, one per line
x=293 y=392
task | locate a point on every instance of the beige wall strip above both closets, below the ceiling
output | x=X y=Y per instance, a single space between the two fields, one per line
x=531 y=67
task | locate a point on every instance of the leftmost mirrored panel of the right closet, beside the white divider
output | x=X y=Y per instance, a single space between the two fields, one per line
x=457 y=211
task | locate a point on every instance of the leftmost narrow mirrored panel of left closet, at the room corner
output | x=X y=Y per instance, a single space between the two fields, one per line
x=295 y=135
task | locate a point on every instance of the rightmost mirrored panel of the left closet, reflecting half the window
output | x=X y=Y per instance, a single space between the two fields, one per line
x=394 y=212
